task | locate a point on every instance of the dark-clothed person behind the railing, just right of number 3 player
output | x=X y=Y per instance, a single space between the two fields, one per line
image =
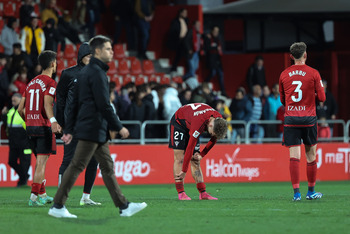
x=330 y=106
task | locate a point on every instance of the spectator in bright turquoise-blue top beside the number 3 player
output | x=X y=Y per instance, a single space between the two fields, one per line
x=274 y=103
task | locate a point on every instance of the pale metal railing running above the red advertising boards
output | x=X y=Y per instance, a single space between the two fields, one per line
x=345 y=126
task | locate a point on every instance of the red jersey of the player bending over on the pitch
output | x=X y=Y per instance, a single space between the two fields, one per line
x=195 y=117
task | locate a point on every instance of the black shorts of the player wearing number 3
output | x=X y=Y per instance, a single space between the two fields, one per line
x=292 y=136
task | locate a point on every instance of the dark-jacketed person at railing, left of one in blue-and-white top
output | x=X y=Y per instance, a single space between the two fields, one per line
x=241 y=109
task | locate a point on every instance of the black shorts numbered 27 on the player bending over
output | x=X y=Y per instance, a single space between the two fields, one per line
x=179 y=137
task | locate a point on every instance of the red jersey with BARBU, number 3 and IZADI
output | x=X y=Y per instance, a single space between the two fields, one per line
x=299 y=86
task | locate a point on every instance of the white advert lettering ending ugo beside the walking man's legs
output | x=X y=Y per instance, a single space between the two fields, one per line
x=129 y=169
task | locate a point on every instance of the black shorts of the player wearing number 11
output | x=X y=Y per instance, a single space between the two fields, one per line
x=43 y=145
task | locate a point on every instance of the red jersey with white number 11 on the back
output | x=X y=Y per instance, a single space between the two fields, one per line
x=35 y=115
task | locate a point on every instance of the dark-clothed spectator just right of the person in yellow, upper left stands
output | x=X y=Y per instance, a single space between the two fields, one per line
x=53 y=37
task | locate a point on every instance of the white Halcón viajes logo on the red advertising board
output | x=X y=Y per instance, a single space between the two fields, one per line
x=230 y=168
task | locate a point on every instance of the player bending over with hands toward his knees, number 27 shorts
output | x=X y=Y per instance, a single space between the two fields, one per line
x=186 y=125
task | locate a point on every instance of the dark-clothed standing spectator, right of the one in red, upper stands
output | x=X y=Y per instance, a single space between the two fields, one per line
x=213 y=51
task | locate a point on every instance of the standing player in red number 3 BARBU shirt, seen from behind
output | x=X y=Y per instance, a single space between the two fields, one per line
x=300 y=86
